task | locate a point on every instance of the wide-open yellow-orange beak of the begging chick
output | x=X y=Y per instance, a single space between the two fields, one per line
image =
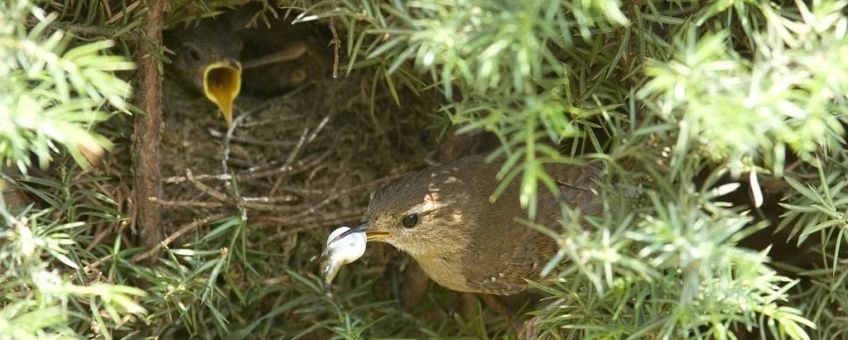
x=222 y=84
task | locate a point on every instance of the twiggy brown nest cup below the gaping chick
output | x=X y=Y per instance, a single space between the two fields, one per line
x=293 y=163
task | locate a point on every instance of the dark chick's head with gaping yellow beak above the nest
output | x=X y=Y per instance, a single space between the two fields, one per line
x=207 y=58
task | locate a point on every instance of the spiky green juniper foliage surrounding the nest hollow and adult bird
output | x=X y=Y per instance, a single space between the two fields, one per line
x=689 y=105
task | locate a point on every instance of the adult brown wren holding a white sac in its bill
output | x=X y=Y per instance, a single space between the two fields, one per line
x=443 y=218
